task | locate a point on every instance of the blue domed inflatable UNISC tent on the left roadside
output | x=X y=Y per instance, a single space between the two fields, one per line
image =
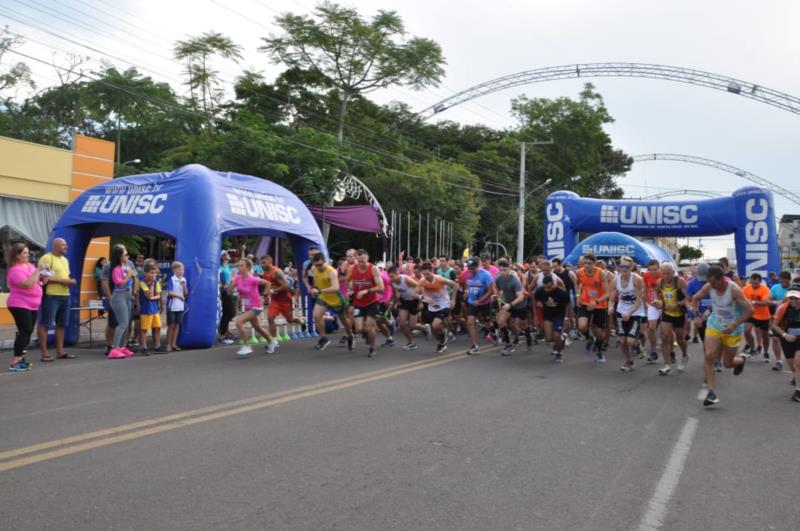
x=197 y=207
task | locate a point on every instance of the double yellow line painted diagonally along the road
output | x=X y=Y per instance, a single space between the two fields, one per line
x=145 y=428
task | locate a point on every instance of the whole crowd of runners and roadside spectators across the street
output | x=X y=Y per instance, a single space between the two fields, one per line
x=650 y=313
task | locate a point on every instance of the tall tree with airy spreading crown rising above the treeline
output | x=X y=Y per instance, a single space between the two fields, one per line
x=353 y=55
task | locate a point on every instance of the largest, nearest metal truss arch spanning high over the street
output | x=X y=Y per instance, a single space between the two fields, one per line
x=732 y=85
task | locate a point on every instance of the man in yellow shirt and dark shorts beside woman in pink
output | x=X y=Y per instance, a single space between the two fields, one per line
x=55 y=303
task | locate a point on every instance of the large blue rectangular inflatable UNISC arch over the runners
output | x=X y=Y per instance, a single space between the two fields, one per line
x=749 y=214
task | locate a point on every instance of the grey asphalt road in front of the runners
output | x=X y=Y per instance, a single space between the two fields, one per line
x=333 y=440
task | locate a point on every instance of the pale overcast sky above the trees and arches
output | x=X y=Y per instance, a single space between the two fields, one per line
x=752 y=41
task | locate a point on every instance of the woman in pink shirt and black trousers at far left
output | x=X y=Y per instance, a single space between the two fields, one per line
x=23 y=301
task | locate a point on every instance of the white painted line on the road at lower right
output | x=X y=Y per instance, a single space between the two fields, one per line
x=657 y=508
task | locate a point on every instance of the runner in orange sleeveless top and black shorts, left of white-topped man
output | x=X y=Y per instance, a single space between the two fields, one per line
x=593 y=305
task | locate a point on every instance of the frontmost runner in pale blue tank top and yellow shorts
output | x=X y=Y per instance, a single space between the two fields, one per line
x=730 y=310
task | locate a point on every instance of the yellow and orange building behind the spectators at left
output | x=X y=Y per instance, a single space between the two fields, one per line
x=36 y=184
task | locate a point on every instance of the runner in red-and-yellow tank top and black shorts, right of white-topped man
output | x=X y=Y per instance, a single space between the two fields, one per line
x=670 y=299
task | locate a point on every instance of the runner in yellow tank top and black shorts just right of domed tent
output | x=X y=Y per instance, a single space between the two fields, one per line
x=327 y=296
